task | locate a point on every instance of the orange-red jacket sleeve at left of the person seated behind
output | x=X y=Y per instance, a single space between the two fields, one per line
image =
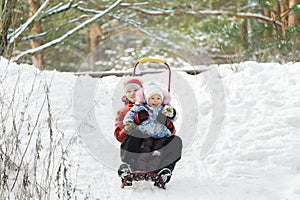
x=119 y=133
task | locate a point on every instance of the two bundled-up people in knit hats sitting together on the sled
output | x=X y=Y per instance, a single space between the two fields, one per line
x=145 y=128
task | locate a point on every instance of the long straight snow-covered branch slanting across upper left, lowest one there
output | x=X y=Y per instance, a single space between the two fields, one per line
x=69 y=33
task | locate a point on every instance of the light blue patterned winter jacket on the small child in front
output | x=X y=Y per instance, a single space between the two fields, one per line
x=150 y=127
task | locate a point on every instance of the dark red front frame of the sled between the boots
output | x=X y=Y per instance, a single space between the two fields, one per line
x=144 y=176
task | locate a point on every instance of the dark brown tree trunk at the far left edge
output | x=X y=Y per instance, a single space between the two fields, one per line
x=7 y=10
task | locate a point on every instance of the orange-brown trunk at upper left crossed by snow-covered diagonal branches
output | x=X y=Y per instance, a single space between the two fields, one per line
x=37 y=60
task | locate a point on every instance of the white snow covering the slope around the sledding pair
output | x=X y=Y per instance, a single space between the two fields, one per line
x=252 y=153
